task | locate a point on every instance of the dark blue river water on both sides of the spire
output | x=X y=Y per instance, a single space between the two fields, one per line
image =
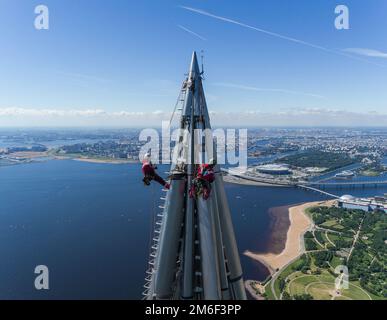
x=90 y=224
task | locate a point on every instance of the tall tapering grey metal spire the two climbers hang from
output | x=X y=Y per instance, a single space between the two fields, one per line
x=194 y=253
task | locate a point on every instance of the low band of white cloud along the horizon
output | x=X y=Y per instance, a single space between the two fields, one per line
x=20 y=117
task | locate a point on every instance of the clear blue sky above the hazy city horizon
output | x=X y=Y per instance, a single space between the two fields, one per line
x=122 y=62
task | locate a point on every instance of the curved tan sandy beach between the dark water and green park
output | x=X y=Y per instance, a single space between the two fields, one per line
x=299 y=224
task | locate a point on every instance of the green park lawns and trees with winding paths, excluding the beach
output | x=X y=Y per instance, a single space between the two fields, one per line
x=312 y=276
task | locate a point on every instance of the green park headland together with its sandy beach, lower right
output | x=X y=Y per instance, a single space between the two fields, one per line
x=336 y=241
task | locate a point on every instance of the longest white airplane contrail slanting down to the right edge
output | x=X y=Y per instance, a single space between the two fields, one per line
x=277 y=35
